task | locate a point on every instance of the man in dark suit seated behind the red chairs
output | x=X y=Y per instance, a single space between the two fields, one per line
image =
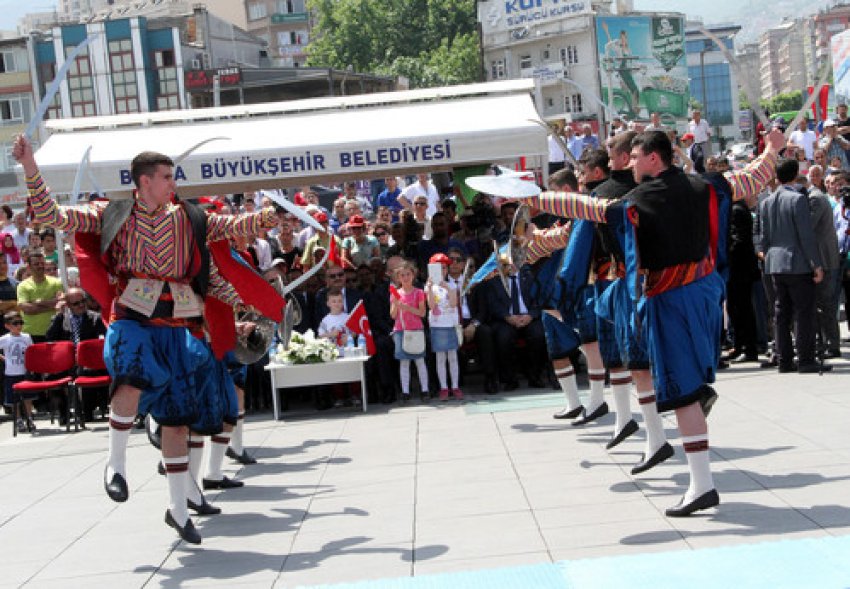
x=74 y=324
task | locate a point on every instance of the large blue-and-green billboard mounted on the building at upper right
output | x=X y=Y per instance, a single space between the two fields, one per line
x=643 y=65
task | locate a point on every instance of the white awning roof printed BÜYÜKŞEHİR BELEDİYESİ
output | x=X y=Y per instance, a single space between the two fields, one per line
x=286 y=144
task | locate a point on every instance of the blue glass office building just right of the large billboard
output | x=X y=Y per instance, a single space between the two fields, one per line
x=713 y=81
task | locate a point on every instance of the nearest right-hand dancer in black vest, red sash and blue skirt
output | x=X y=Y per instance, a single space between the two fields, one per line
x=674 y=223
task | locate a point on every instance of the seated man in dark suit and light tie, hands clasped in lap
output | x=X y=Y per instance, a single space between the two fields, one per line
x=512 y=315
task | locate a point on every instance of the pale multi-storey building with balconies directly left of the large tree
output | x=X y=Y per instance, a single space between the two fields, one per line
x=285 y=25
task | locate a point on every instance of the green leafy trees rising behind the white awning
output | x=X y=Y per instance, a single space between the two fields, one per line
x=431 y=42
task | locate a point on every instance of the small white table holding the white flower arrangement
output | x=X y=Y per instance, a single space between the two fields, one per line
x=299 y=375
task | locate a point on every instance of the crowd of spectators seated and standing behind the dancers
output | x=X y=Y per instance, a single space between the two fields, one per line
x=407 y=224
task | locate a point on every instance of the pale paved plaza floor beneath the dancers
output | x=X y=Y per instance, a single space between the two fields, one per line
x=489 y=493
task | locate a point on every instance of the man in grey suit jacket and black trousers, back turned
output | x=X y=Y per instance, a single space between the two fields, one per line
x=784 y=237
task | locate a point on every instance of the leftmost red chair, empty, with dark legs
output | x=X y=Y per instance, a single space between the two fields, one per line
x=41 y=361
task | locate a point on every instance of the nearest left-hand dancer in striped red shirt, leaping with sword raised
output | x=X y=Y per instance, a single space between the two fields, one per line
x=156 y=250
